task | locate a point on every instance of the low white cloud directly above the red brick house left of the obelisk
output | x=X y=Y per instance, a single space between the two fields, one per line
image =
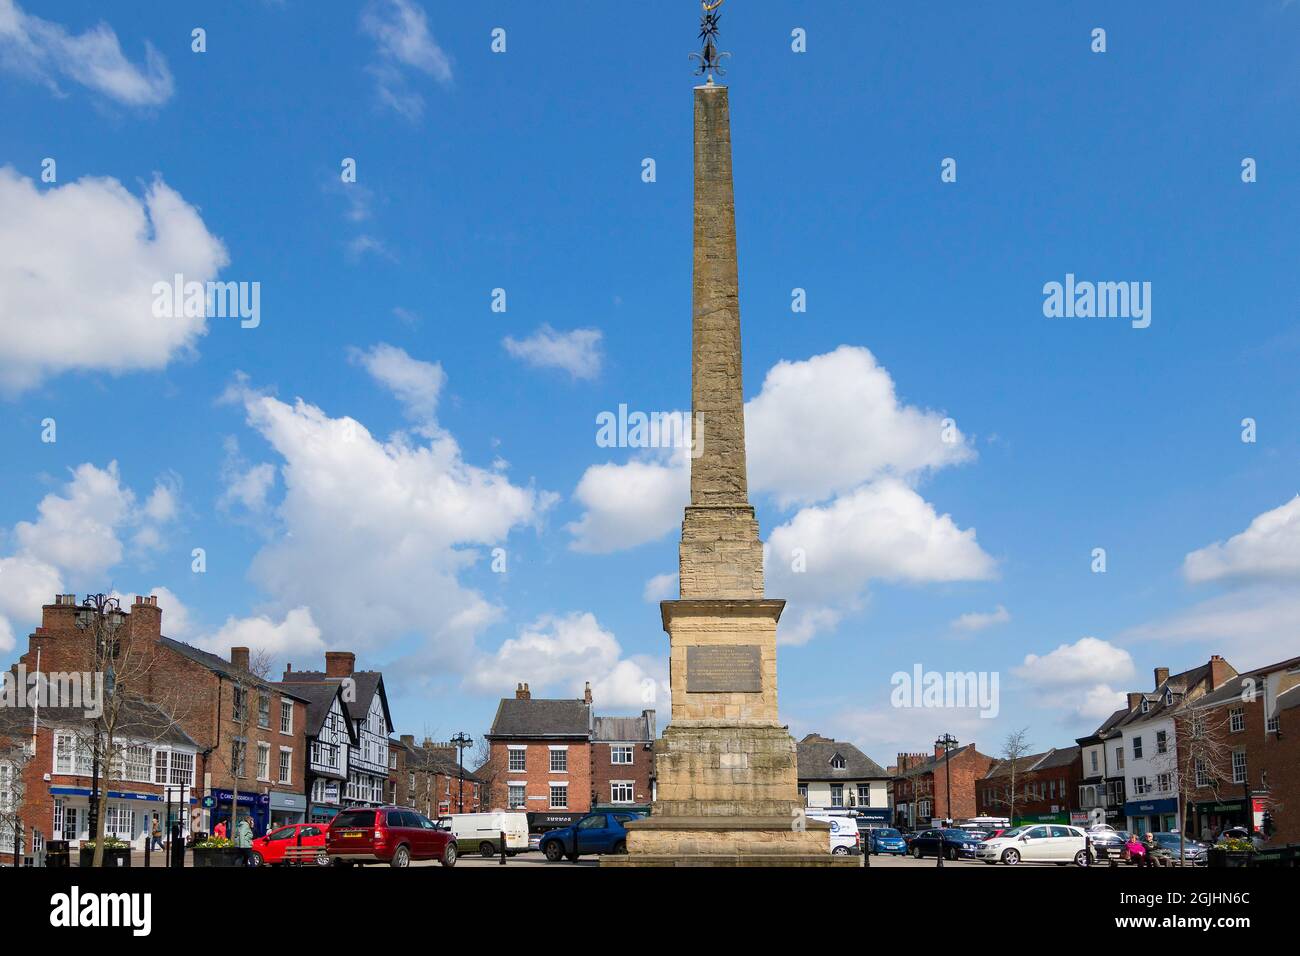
x=560 y=654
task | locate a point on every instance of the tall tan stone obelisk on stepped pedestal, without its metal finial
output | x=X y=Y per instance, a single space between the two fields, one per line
x=725 y=767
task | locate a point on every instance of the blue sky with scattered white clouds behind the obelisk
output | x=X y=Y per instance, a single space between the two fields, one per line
x=476 y=430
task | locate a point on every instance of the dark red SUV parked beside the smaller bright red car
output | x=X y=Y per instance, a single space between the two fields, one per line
x=391 y=836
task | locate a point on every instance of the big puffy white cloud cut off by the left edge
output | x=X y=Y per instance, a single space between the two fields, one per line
x=77 y=270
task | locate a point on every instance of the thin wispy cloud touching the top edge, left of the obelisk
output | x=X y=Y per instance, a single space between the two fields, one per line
x=404 y=45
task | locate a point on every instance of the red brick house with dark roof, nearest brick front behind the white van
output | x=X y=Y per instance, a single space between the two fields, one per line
x=541 y=758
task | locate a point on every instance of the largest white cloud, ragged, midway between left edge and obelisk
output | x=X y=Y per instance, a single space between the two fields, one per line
x=374 y=535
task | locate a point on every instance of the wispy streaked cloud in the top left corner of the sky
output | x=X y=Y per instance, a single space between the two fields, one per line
x=46 y=51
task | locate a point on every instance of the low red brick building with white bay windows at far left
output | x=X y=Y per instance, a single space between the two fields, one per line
x=46 y=781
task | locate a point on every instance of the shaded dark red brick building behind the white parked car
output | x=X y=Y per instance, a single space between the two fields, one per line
x=1046 y=789
